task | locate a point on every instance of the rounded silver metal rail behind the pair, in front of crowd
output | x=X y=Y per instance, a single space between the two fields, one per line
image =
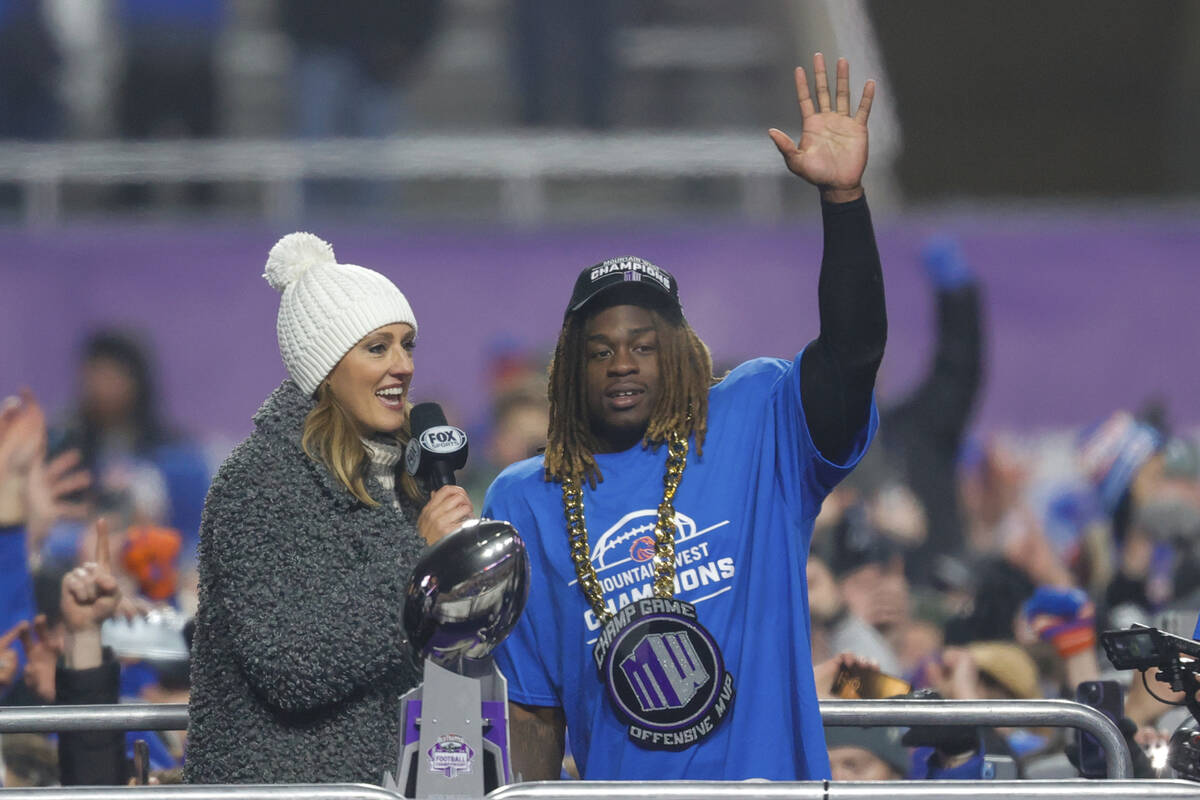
x=1061 y=714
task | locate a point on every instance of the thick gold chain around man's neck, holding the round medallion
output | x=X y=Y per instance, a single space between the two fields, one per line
x=664 y=532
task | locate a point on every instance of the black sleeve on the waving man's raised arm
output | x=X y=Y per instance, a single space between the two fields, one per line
x=839 y=368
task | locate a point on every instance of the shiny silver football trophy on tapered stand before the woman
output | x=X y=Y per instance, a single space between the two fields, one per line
x=465 y=597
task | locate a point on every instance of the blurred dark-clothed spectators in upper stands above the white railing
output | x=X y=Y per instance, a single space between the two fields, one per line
x=347 y=64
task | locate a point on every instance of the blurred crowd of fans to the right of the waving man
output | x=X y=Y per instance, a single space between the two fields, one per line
x=985 y=568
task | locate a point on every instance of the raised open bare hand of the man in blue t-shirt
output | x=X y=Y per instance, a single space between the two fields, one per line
x=832 y=152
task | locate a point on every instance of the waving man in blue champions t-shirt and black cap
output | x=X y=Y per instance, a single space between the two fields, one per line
x=668 y=622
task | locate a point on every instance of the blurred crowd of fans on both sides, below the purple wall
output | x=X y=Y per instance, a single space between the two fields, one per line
x=959 y=567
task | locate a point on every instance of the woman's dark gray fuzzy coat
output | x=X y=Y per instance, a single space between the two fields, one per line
x=298 y=663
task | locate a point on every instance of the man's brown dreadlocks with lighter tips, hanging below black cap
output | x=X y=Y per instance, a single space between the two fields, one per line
x=686 y=371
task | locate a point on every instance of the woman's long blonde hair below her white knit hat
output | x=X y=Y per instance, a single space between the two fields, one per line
x=331 y=438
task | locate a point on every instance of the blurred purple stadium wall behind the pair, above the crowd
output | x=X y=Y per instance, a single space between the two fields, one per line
x=1085 y=315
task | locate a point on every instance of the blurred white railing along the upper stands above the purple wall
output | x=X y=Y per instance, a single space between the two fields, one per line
x=523 y=164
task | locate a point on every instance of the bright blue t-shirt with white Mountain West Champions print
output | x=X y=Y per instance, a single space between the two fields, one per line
x=745 y=515
